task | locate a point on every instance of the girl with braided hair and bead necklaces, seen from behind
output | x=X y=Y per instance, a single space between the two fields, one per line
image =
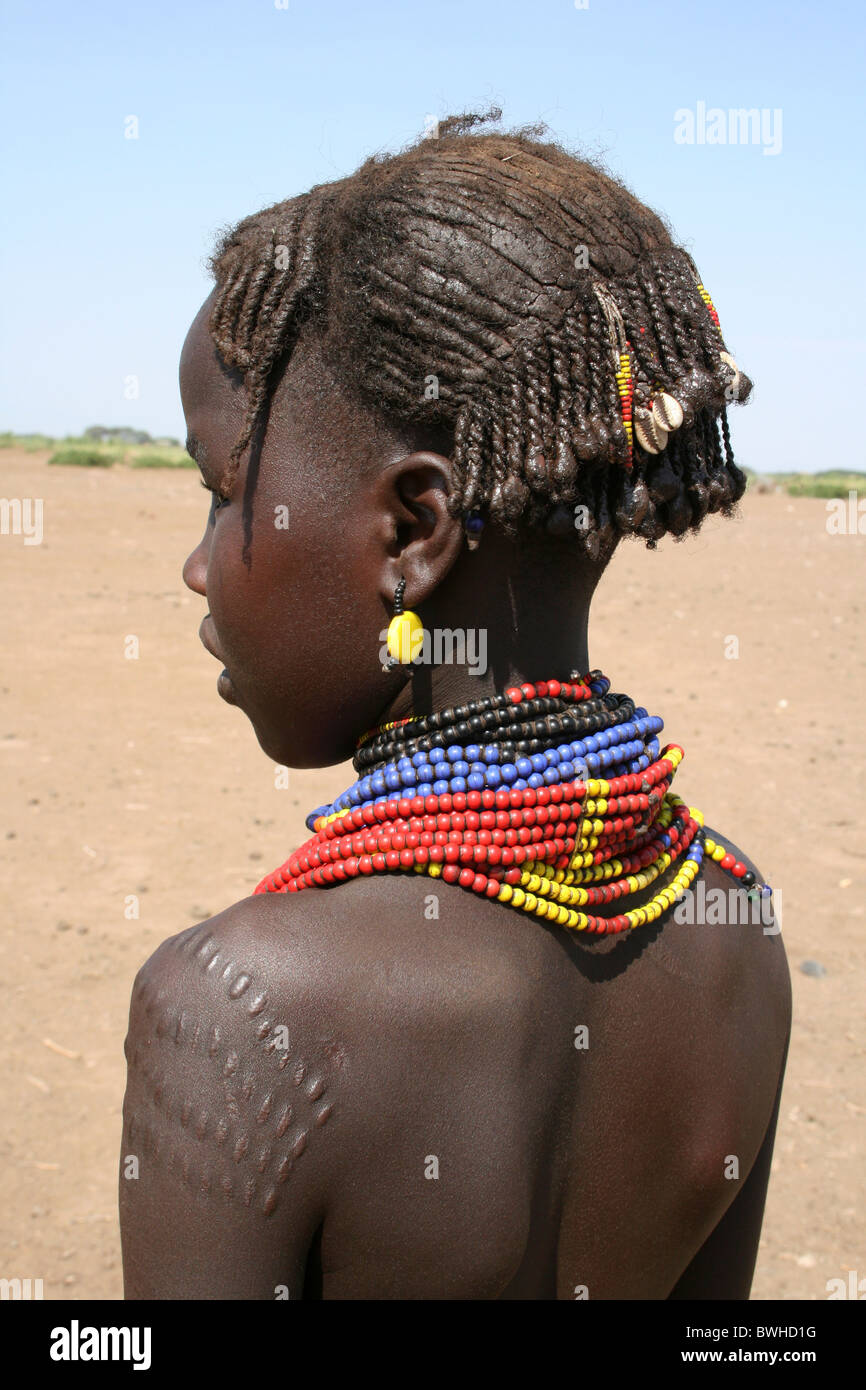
x=459 y=1045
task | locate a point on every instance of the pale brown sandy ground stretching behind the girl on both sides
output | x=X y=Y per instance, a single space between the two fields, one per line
x=130 y=779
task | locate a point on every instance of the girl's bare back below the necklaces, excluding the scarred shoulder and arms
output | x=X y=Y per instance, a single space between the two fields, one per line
x=557 y=1118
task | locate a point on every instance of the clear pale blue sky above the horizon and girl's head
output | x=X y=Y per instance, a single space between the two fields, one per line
x=243 y=104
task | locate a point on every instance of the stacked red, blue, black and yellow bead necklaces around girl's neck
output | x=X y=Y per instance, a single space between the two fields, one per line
x=554 y=799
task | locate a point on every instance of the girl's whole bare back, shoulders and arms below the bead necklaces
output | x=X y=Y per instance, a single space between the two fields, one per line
x=509 y=1111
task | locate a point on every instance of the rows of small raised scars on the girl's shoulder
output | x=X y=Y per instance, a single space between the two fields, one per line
x=247 y=1149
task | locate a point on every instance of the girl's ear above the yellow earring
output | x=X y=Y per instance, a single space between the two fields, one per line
x=422 y=539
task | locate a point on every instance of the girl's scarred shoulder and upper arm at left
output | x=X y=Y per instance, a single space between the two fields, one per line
x=234 y=1115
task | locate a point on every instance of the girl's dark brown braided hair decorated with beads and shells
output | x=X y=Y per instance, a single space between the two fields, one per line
x=476 y=284
